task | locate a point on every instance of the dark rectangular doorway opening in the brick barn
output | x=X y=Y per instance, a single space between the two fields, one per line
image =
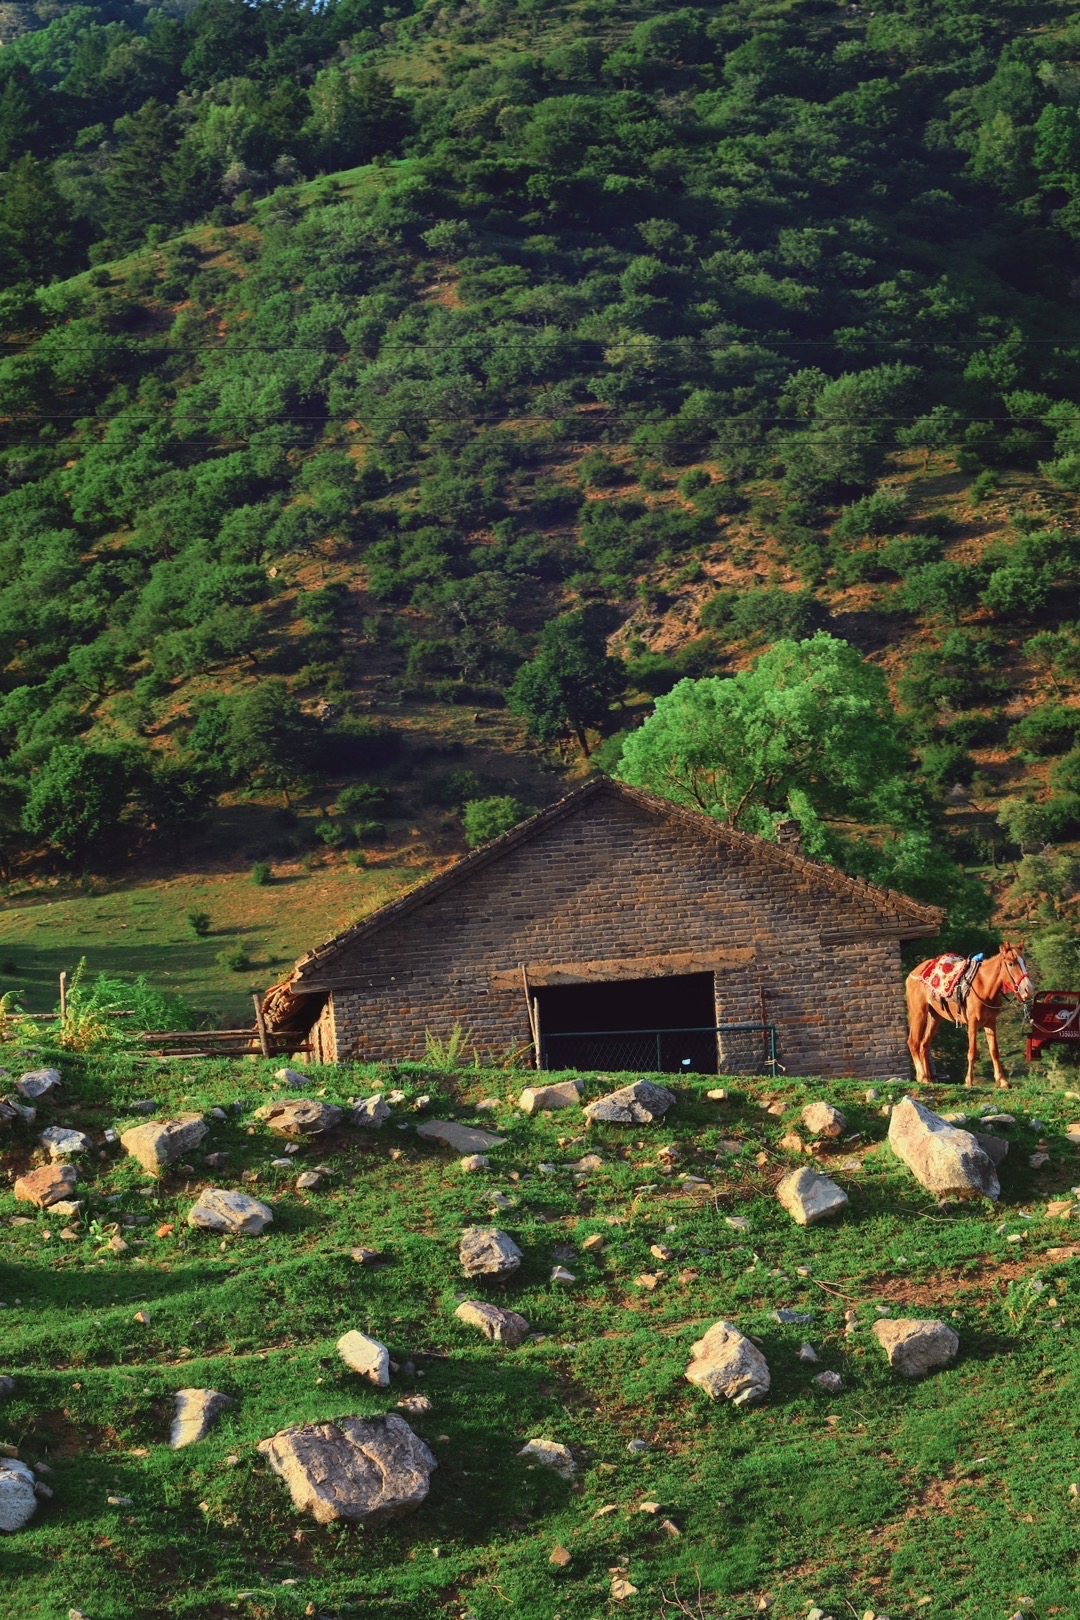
x=658 y=1025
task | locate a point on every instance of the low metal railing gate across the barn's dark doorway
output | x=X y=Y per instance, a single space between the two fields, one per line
x=655 y=1051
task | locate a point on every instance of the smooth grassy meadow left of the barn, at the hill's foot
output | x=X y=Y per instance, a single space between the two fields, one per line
x=143 y=929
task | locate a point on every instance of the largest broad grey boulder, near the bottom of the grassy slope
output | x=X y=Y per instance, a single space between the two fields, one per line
x=368 y=1470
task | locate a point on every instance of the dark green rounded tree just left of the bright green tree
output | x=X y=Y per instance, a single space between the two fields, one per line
x=571 y=684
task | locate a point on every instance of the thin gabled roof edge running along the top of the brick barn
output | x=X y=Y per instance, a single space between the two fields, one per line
x=909 y=914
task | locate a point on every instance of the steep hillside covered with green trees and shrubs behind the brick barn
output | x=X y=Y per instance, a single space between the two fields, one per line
x=425 y=357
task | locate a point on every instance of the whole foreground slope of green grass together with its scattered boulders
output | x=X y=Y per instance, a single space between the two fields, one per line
x=441 y=1345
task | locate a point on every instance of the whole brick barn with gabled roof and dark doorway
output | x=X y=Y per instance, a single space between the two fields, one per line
x=621 y=931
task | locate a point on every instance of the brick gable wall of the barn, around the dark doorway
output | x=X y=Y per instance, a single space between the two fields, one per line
x=614 y=880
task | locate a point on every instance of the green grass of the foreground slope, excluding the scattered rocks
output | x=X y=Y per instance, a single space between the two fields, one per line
x=945 y=1498
